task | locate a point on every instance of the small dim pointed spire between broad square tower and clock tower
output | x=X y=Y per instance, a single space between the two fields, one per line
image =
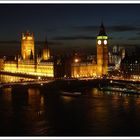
x=46 y=51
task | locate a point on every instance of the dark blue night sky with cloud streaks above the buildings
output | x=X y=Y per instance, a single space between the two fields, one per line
x=69 y=26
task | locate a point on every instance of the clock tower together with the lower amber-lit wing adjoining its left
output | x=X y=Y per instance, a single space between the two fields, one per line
x=85 y=69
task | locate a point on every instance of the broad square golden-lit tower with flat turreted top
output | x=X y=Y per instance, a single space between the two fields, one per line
x=27 y=46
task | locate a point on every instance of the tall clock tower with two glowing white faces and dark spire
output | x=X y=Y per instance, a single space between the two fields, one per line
x=102 y=52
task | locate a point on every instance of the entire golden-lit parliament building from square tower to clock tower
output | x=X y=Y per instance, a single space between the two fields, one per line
x=30 y=63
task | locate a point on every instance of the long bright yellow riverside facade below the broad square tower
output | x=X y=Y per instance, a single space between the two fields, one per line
x=29 y=68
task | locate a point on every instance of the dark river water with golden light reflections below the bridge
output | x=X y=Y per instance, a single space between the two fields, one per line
x=97 y=113
